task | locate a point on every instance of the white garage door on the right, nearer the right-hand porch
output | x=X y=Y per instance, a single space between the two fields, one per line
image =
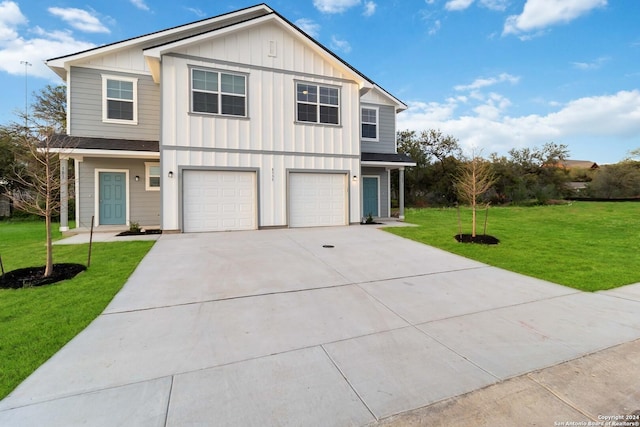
x=317 y=199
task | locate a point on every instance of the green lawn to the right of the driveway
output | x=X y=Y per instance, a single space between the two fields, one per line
x=585 y=245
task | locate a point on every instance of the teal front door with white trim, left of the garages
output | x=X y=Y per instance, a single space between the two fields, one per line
x=113 y=198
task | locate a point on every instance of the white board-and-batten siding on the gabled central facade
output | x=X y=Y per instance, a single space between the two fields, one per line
x=269 y=139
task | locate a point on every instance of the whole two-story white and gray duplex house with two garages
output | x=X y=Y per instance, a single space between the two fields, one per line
x=240 y=121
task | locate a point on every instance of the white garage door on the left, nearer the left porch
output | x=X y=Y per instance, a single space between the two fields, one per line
x=219 y=200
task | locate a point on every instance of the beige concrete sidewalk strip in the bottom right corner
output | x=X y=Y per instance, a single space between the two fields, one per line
x=598 y=388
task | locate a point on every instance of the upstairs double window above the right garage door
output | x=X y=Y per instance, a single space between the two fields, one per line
x=317 y=104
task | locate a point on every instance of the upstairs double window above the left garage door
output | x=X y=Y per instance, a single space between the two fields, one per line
x=214 y=92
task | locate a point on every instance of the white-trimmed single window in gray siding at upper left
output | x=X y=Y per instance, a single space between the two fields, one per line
x=119 y=99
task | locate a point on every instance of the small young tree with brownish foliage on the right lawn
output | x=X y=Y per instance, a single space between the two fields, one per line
x=475 y=178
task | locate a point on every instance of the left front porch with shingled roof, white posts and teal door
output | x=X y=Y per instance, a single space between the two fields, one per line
x=117 y=183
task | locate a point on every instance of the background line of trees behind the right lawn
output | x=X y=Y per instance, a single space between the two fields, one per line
x=524 y=176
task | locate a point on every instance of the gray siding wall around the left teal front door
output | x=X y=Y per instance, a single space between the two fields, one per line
x=144 y=205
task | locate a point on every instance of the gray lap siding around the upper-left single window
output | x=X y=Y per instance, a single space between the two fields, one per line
x=86 y=107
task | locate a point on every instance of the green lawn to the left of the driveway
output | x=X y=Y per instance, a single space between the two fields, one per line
x=36 y=322
